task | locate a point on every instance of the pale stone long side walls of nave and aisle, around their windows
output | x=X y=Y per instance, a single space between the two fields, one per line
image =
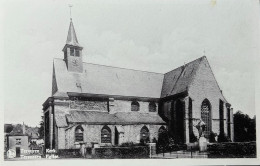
x=65 y=138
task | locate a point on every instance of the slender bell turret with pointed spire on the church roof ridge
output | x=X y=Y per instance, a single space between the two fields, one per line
x=73 y=51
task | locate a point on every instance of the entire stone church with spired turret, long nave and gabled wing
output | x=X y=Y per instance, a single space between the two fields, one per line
x=92 y=103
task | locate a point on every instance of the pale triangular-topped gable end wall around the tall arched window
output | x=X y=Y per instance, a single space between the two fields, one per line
x=204 y=86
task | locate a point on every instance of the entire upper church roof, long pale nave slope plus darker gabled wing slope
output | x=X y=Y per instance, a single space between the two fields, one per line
x=113 y=81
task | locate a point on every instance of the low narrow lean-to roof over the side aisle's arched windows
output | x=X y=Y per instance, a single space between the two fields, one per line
x=95 y=117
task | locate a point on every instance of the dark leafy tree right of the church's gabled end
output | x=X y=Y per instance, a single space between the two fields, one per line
x=244 y=127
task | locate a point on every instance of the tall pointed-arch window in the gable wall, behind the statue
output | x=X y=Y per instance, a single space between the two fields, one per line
x=206 y=116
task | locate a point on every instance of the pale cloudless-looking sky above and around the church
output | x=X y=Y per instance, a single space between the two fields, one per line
x=153 y=35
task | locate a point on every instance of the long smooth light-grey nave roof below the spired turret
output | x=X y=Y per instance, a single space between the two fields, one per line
x=100 y=79
